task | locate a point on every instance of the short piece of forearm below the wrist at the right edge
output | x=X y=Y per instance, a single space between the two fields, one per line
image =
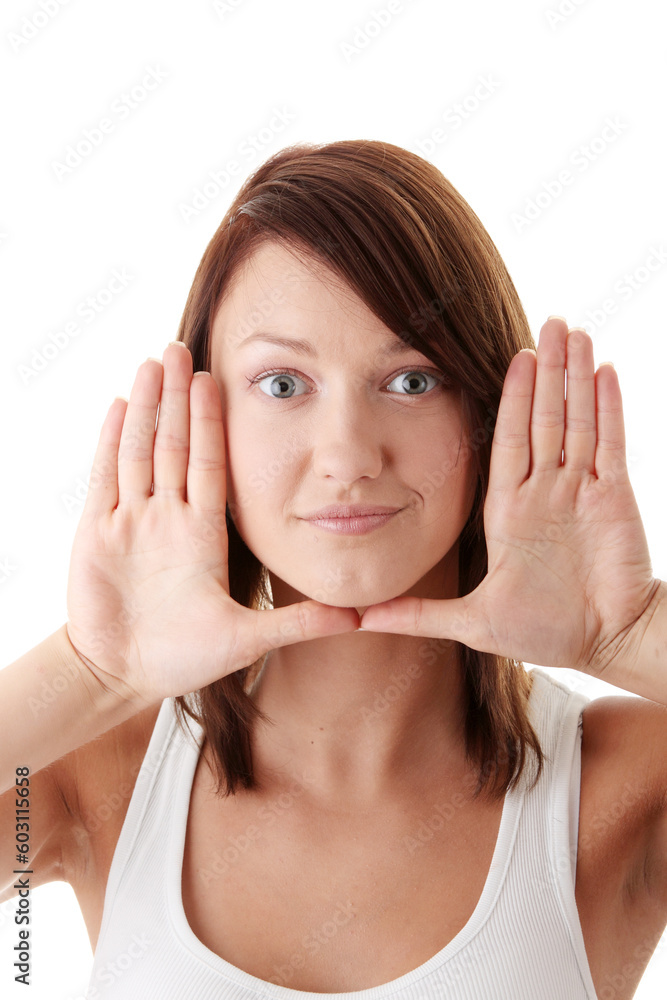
x=640 y=664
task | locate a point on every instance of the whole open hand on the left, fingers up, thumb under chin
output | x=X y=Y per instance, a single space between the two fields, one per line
x=148 y=599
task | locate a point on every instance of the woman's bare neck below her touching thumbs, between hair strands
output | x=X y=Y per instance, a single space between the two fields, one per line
x=360 y=717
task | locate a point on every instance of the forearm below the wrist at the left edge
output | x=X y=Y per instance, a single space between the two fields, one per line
x=51 y=703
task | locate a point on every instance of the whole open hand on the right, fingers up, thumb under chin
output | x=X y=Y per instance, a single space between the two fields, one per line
x=569 y=572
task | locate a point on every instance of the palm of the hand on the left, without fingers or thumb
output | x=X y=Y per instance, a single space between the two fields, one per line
x=152 y=578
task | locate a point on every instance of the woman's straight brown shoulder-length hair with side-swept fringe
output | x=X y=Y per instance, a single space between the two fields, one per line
x=397 y=232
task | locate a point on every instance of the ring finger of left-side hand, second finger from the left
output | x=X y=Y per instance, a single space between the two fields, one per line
x=135 y=452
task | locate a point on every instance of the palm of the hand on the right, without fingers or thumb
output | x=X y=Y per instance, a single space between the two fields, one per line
x=568 y=569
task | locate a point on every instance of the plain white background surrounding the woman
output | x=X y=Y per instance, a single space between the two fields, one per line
x=552 y=83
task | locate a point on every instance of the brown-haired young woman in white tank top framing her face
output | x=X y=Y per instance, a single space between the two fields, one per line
x=250 y=795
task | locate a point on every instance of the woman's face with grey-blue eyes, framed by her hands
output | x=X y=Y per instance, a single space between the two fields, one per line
x=337 y=422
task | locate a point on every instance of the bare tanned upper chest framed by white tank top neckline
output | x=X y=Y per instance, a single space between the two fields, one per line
x=321 y=901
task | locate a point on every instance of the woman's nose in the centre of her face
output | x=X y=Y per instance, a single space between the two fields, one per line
x=347 y=439
